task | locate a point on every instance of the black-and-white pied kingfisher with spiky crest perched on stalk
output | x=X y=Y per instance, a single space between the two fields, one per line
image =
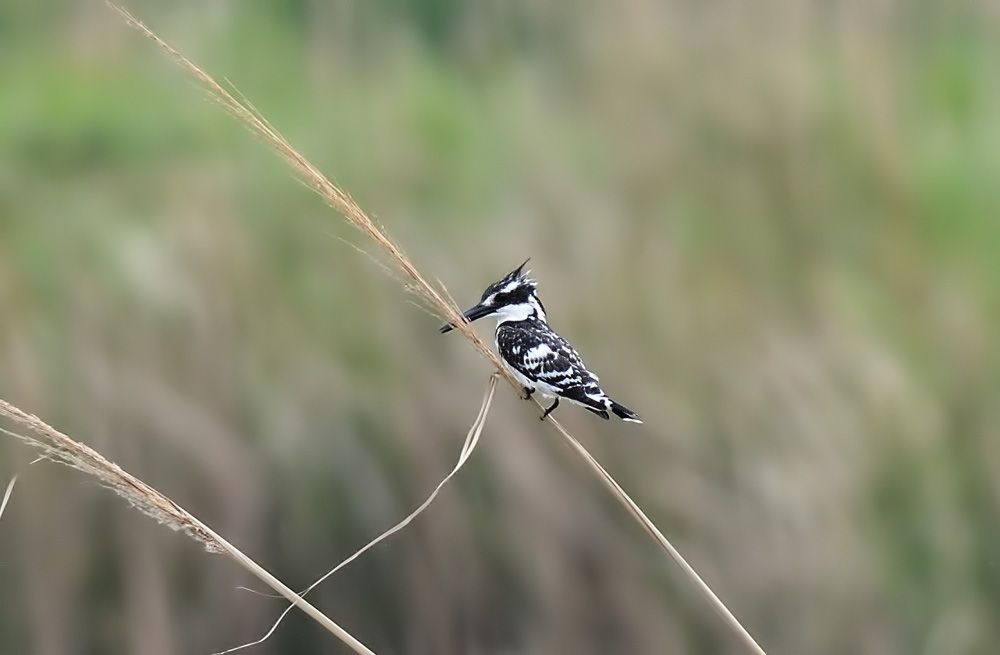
x=536 y=356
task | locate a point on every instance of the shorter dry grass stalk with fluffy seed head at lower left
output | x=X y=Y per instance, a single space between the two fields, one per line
x=56 y=446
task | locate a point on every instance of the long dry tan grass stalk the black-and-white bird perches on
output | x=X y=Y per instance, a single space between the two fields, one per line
x=342 y=202
